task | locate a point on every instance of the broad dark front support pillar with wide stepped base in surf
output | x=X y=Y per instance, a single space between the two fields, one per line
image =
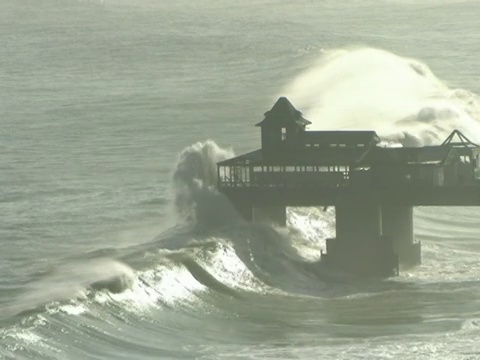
x=359 y=247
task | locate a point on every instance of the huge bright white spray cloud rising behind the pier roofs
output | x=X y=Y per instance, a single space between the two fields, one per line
x=400 y=98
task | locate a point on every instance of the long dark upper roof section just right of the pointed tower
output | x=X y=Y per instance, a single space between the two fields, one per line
x=341 y=137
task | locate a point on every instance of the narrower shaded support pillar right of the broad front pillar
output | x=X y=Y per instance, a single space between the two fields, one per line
x=397 y=224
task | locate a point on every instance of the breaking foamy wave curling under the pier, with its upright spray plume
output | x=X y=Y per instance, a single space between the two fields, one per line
x=210 y=253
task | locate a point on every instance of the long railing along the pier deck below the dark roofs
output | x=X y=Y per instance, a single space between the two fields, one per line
x=312 y=176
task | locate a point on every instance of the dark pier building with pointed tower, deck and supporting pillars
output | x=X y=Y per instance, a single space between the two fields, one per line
x=373 y=188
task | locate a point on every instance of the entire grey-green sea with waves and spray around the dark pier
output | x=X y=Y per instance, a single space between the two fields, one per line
x=115 y=244
